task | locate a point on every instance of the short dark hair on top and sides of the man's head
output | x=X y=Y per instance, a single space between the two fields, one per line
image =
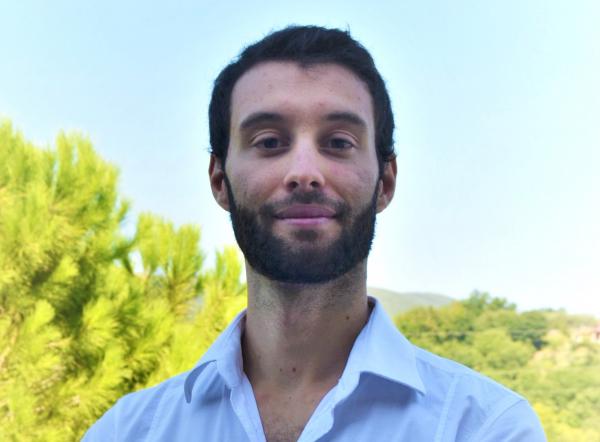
x=305 y=45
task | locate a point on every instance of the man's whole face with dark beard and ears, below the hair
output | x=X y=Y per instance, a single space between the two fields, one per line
x=301 y=179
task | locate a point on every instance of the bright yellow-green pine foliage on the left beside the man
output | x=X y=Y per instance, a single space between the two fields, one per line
x=86 y=314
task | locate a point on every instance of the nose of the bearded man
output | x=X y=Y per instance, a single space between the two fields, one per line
x=305 y=167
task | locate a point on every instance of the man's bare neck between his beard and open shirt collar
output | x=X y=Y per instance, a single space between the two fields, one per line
x=298 y=335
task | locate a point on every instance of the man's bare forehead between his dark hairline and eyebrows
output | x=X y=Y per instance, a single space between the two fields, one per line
x=287 y=87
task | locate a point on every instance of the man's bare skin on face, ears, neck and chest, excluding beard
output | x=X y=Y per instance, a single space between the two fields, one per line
x=298 y=337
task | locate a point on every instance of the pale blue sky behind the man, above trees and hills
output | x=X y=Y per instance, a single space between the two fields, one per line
x=497 y=108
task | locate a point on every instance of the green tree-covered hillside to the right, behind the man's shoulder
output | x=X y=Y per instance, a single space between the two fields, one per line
x=534 y=353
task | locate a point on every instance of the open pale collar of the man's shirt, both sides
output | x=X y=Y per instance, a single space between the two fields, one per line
x=379 y=349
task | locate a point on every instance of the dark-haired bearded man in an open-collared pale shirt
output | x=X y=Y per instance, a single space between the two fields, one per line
x=302 y=157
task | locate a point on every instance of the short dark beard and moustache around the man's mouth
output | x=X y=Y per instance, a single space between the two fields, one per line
x=278 y=260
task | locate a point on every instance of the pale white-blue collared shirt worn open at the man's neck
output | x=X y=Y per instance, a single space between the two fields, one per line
x=390 y=390
